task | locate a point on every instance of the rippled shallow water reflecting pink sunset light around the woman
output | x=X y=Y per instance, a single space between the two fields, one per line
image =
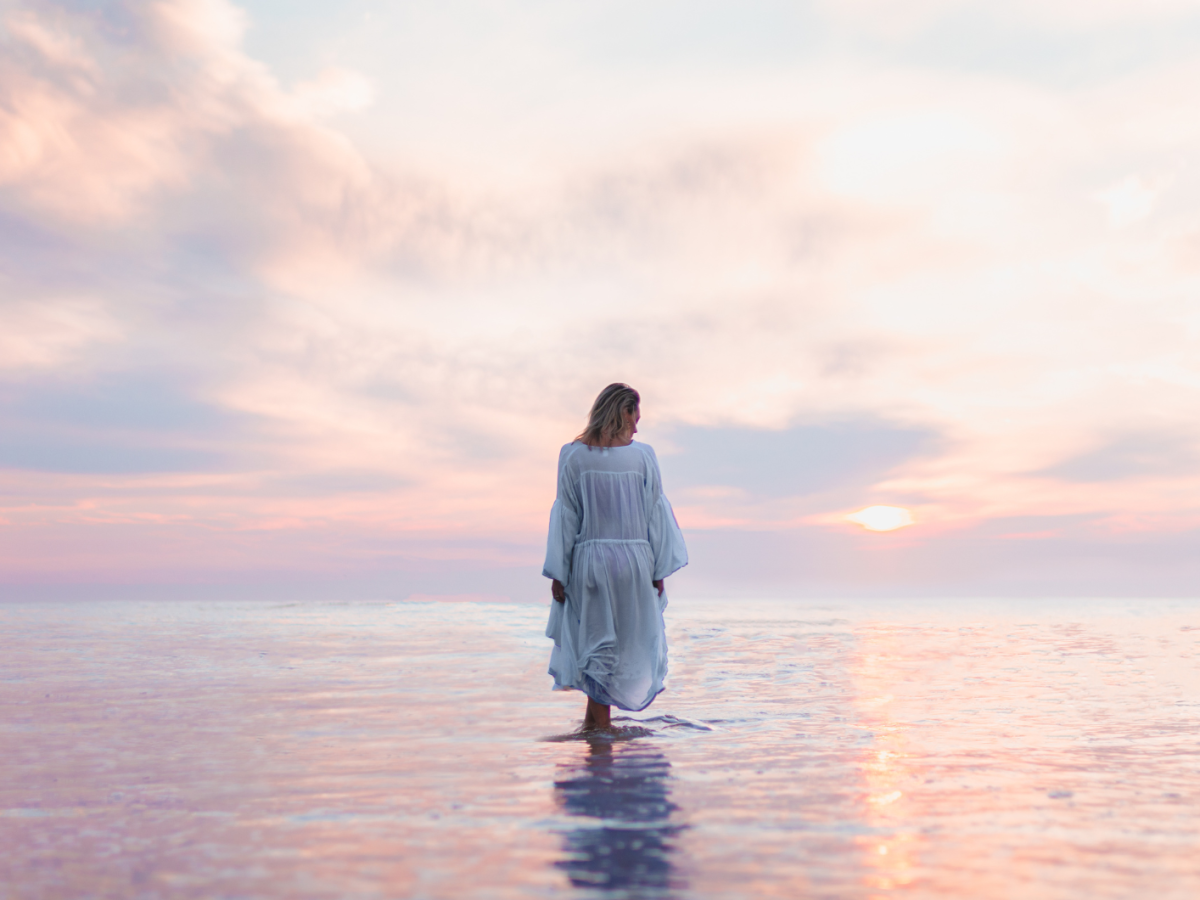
x=842 y=751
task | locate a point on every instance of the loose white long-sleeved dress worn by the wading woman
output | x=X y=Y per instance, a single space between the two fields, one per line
x=611 y=533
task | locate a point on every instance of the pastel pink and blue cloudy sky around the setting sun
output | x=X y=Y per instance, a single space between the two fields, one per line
x=302 y=299
